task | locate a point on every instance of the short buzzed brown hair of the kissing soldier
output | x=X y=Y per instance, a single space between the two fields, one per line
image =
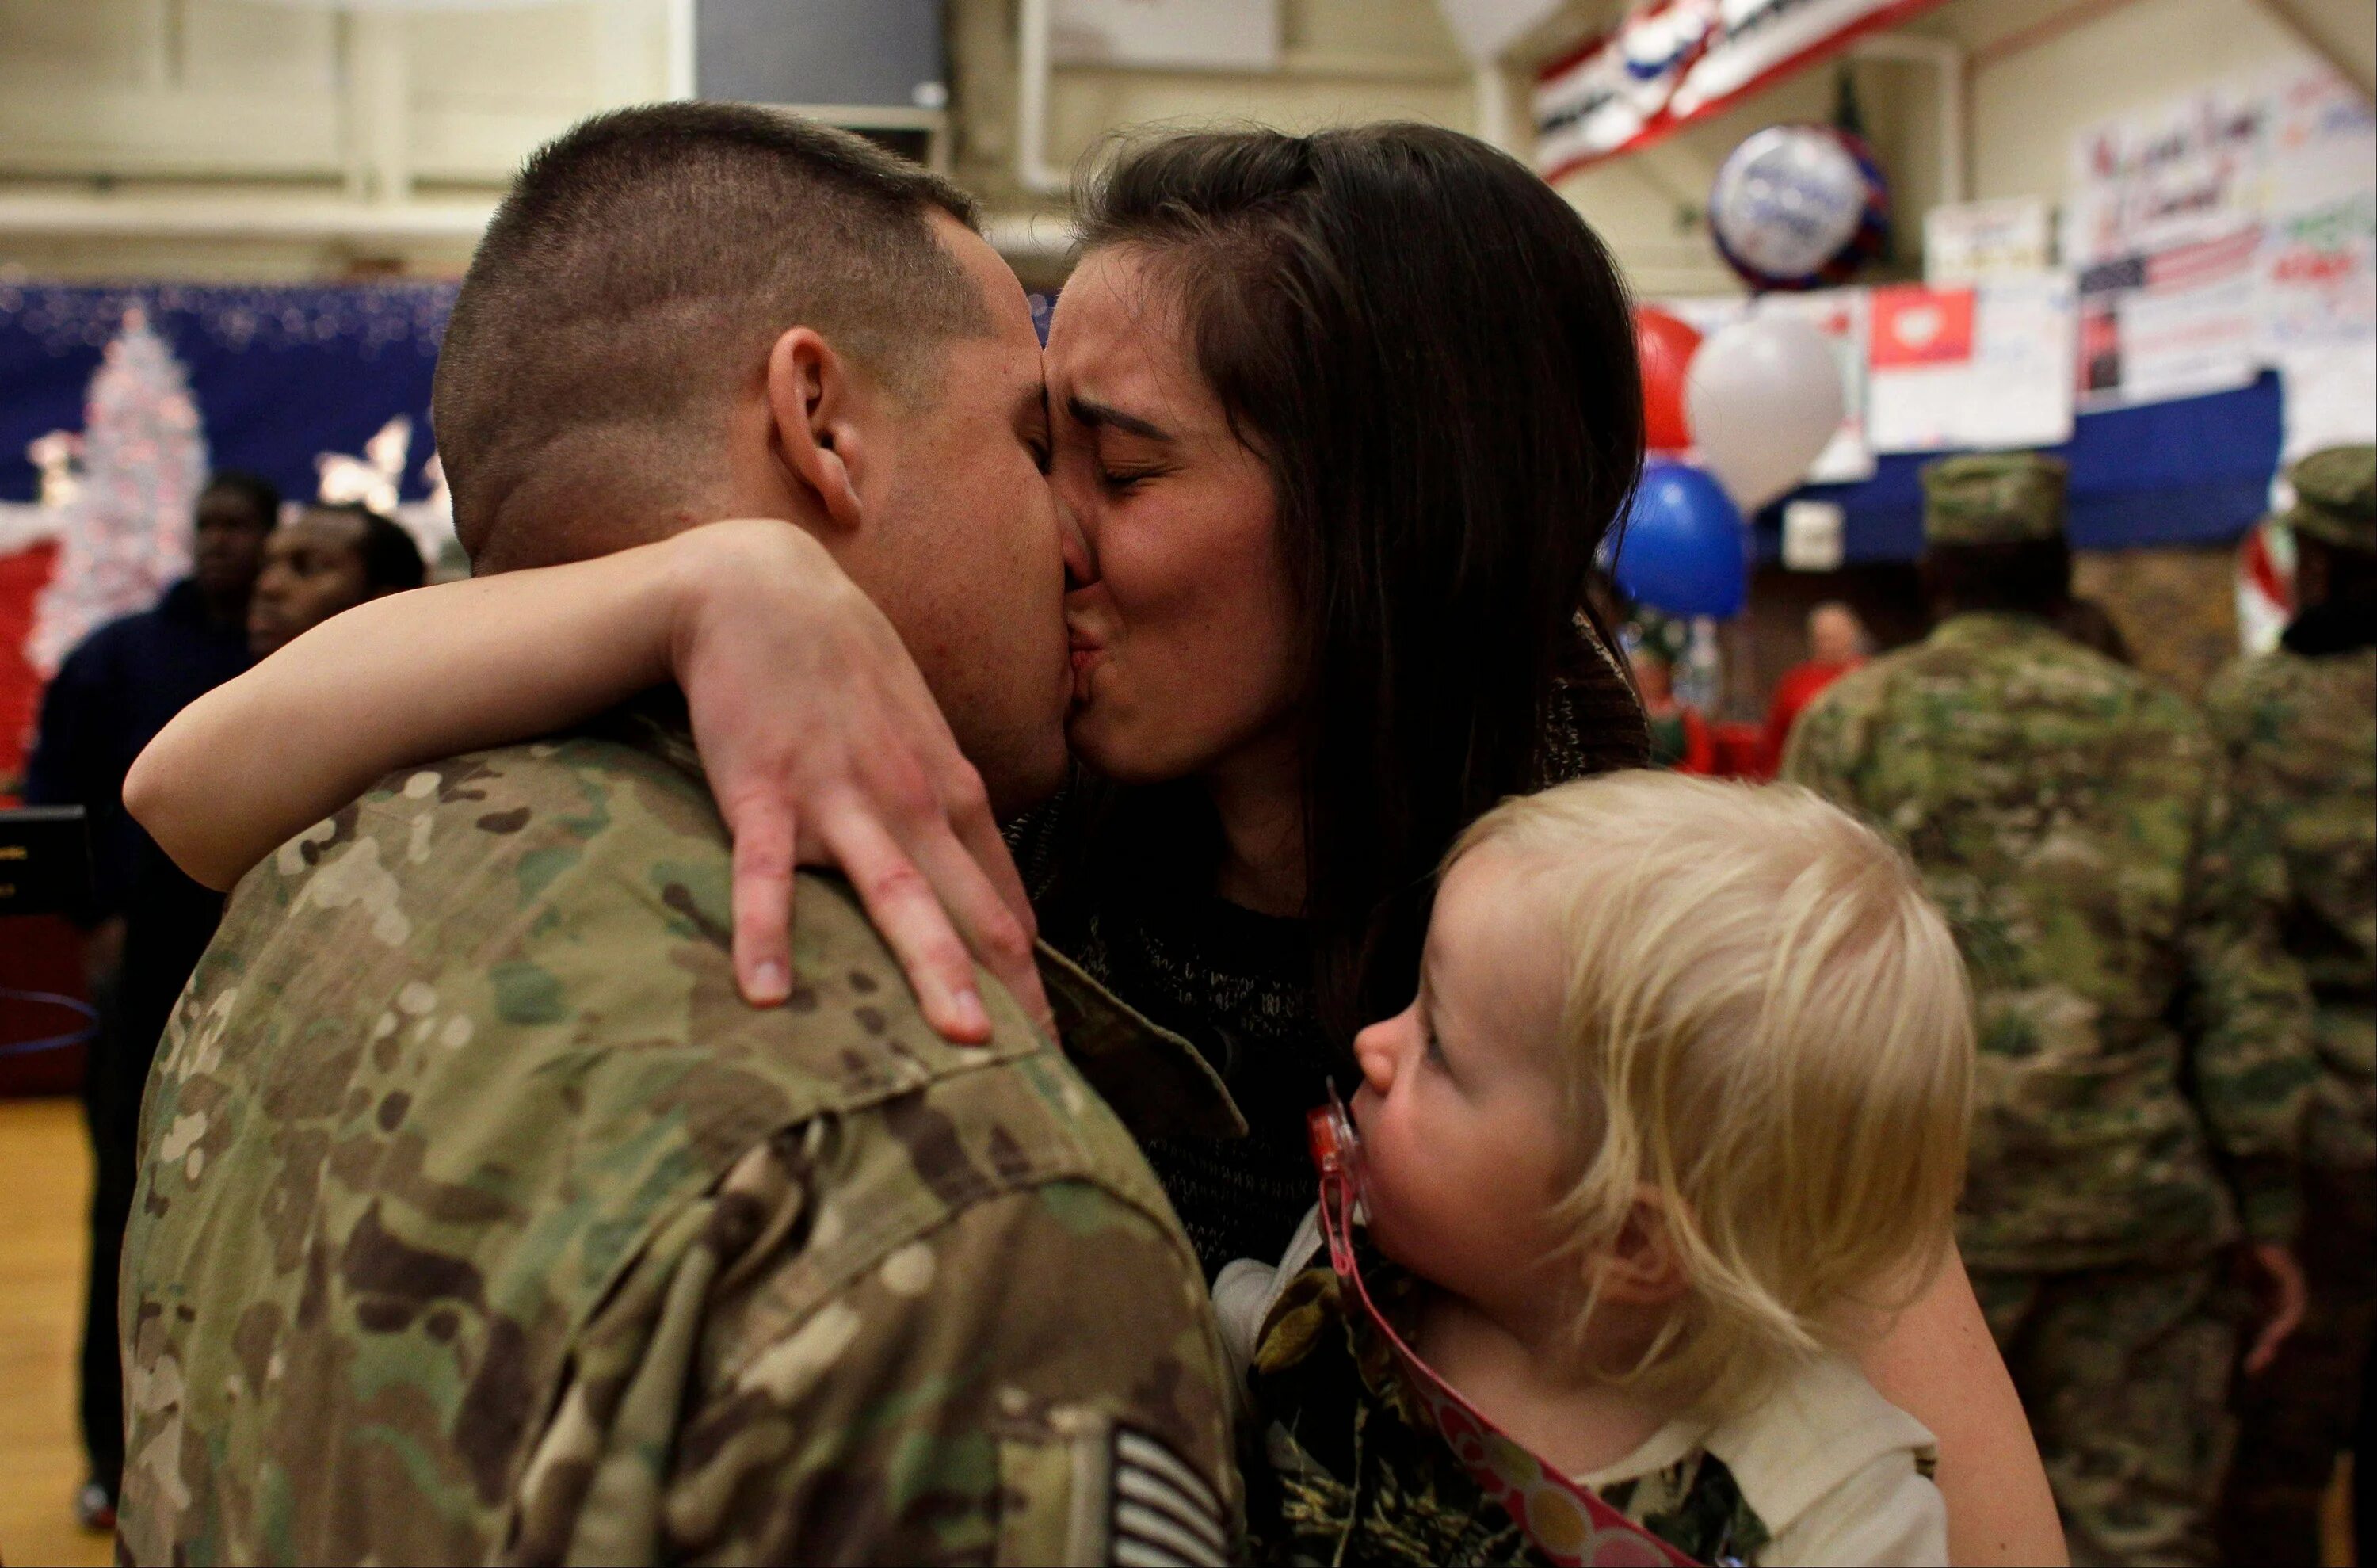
x=648 y=258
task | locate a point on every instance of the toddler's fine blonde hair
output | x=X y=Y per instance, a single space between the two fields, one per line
x=1765 y=1023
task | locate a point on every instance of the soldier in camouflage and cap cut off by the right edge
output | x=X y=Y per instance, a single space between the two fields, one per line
x=2300 y=728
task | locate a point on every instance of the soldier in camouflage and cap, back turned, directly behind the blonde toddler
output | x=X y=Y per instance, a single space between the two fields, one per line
x=2074 y=826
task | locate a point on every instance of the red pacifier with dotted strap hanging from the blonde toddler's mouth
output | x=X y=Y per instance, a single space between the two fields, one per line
x=1568 y=1522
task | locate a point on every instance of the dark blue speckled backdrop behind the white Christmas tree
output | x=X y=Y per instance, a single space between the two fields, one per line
x=279 y=374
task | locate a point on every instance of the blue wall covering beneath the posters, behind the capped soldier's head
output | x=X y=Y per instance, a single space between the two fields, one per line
x=2193 y=472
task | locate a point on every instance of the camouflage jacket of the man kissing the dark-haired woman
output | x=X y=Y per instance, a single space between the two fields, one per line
x=484 y=1222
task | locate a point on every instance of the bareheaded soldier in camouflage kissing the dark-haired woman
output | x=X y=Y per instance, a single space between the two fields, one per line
x=481 y=1218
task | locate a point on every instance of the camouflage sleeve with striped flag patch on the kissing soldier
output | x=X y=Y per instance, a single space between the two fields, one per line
x=933 y=1408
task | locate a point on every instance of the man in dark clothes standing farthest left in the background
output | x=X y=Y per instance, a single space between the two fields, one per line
x=111 y=697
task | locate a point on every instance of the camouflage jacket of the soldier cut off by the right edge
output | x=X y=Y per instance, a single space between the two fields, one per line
x=2302 y=742
